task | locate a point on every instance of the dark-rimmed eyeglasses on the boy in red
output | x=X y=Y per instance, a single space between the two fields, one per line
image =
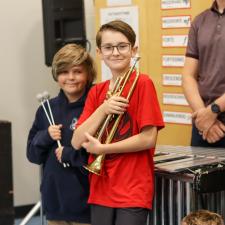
x=122 y=48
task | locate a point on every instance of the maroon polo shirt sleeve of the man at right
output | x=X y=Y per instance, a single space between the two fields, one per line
x=192 y=47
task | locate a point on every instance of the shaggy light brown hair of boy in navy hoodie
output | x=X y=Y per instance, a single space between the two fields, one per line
x=73 y=55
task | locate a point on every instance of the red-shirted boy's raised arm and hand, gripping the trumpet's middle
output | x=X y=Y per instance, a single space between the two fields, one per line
x=114 y=105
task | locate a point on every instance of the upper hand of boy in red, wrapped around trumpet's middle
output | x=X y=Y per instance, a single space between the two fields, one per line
x=115 y=105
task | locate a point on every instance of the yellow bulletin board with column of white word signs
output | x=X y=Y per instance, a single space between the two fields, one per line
x=163 y=28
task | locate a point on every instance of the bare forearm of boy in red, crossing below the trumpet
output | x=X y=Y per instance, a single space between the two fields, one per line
x=144 y=140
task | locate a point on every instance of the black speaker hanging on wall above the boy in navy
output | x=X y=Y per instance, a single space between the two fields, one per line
x=64 y=22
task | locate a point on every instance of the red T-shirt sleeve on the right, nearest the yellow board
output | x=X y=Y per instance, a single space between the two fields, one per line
x=149 y=113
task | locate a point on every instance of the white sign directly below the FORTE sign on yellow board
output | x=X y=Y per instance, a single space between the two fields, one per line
x=173 y=60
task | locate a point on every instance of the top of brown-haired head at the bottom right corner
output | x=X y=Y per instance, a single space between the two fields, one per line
x=203 y=217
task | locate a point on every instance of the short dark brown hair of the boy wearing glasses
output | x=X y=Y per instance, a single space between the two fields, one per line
x=119 y=26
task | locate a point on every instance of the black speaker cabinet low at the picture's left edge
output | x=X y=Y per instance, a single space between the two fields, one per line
x=6 y=183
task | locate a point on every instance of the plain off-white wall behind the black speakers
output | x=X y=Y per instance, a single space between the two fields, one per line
x=23 y=75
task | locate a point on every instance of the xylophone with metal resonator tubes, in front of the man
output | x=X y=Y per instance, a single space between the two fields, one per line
x=187 y=179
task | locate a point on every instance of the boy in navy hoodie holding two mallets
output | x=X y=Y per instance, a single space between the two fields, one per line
x=64 y=189
